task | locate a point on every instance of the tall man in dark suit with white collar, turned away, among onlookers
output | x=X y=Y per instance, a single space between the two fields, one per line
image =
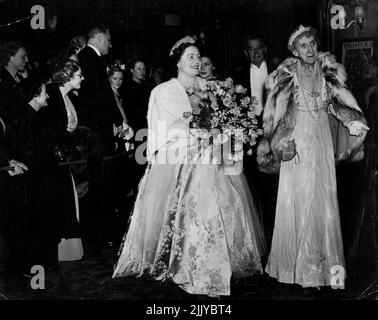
x=95 y=113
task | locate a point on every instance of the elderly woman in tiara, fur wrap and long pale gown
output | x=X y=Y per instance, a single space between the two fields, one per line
x=308 y=102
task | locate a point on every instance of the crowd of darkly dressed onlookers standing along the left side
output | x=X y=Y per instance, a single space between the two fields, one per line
x=67 y=167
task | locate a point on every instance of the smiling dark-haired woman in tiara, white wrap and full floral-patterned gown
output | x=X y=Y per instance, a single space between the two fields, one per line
x=192 y=223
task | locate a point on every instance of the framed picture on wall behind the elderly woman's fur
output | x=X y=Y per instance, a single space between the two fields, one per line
x=355 y=57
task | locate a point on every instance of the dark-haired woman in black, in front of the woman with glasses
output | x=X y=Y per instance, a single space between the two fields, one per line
x=37 y=226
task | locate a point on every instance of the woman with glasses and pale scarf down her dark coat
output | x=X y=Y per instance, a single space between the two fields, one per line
x=63 y=117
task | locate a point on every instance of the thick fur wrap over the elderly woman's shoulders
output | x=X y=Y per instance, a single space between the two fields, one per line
x=279 y=112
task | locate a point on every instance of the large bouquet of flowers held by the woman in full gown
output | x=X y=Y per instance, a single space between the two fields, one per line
x=225 y=114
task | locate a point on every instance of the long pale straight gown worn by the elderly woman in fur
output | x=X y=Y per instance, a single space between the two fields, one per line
x=307 y=246
